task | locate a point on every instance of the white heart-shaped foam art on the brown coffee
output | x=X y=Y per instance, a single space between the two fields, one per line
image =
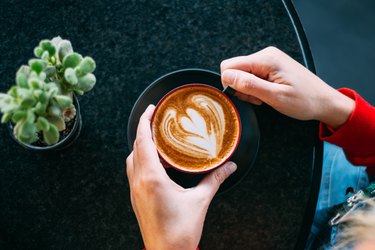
x=197 y=129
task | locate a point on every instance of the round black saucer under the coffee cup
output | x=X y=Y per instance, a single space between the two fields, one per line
x=247 y=149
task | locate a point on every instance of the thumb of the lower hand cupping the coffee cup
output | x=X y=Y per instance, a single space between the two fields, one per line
x=211 y=183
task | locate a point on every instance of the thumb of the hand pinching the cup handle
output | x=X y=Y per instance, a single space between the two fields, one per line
x=250 y=84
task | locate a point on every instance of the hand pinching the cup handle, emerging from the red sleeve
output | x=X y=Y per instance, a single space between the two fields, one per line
x=271 y=76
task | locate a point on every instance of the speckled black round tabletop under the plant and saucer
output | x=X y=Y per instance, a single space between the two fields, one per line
x=78 y=198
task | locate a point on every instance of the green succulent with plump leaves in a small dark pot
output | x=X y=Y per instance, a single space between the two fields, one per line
x=41 y=102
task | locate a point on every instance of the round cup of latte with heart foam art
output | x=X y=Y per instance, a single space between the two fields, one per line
x=196 y=128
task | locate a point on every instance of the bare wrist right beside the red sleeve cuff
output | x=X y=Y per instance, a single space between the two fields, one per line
x=337 y=109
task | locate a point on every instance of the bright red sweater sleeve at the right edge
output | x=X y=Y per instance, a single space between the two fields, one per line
x=357 y=135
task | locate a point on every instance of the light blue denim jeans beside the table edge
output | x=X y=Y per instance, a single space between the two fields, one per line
x=337 y=175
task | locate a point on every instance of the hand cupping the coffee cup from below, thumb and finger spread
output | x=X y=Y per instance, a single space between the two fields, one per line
x=169 y=216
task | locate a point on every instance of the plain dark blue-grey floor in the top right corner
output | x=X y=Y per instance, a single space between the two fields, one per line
x=341 y=34
